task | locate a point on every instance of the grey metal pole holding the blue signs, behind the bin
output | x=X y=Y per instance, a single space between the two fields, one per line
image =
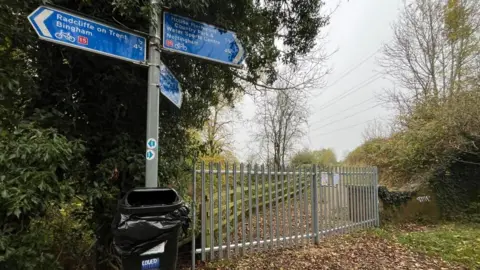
x=151 y=168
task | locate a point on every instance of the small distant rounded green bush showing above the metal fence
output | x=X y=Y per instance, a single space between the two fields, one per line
x=325 y=157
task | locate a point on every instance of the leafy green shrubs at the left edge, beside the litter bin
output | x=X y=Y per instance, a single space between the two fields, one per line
x=40 y=173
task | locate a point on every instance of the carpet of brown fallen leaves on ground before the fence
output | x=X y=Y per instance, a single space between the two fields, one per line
x=357 y=251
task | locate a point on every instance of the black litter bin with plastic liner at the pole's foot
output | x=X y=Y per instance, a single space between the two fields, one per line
x=146 y=228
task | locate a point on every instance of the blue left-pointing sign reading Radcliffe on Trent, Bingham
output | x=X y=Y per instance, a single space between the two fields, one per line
x=72 y=30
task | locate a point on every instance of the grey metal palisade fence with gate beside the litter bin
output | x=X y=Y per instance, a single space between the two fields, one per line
x=239 y=209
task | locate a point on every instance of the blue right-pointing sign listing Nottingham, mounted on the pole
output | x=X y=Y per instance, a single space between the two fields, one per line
x=187 y=36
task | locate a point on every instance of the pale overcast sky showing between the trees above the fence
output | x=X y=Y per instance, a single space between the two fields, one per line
x=349 y=102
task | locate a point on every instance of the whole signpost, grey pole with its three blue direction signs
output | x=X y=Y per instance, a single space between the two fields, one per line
x=180 y=35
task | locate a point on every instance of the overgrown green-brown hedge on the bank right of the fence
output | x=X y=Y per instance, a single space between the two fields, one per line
x=439 y=148
